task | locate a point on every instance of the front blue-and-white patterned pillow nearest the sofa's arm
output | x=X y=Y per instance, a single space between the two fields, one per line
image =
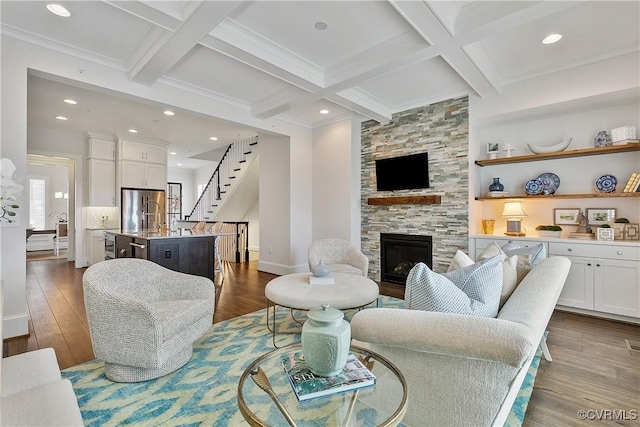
x=472 y=290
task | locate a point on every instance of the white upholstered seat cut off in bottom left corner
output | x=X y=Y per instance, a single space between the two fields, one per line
x=32 y=391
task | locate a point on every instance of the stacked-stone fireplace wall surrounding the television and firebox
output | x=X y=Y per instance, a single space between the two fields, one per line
x=442 y=130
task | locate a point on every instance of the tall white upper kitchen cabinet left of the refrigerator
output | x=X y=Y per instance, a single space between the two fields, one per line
x=101 y=170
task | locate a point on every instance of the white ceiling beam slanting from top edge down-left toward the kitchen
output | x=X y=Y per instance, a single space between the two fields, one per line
x=167 y=51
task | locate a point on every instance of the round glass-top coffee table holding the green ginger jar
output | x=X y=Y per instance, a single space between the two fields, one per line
x=383 y=404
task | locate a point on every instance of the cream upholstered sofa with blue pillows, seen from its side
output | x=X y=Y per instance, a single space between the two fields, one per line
x=465 y=370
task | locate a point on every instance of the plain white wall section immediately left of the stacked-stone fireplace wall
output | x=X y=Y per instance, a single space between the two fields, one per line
x=336 y=182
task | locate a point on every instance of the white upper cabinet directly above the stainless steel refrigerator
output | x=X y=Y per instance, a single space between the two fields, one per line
x=142 y=164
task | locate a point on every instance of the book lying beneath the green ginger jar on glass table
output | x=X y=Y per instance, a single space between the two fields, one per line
x=306 y=385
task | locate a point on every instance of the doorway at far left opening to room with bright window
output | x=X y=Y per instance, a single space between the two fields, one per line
x=51 y=204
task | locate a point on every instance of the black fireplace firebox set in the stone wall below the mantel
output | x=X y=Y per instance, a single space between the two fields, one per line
x=400 y=252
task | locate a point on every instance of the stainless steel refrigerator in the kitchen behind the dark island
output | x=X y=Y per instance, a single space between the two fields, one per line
x=142 y=210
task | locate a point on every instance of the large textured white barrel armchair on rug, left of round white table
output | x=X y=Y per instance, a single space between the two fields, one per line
x=143 y=318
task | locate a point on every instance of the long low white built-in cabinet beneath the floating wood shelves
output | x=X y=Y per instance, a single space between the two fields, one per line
x=604 y=279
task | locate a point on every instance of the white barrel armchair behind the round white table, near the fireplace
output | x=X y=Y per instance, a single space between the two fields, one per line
x=339 y=255
